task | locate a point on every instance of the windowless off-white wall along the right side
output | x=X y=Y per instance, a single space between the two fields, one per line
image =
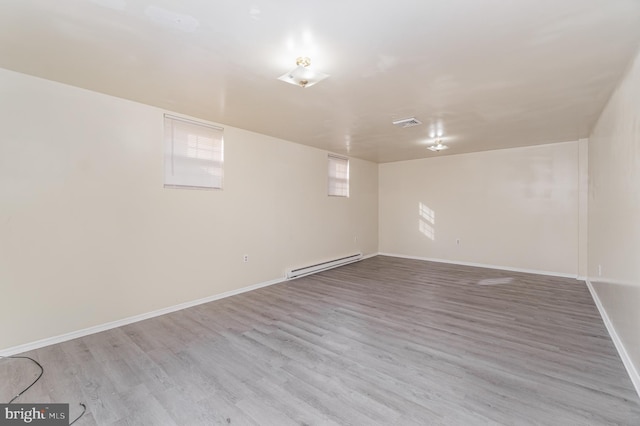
x=614 y=212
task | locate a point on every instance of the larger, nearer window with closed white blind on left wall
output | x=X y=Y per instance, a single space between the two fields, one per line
x=193 y=156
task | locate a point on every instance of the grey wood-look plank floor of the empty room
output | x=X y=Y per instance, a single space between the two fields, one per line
x=385 y=341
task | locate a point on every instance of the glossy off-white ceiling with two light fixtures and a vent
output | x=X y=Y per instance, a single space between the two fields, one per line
x=489 y=74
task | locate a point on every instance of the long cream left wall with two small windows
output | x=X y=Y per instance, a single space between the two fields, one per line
x=88 y=234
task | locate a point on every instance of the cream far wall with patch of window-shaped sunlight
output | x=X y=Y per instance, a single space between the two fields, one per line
x=514 y=208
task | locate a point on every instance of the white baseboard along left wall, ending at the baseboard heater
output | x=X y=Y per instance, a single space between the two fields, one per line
x=119 y=323
